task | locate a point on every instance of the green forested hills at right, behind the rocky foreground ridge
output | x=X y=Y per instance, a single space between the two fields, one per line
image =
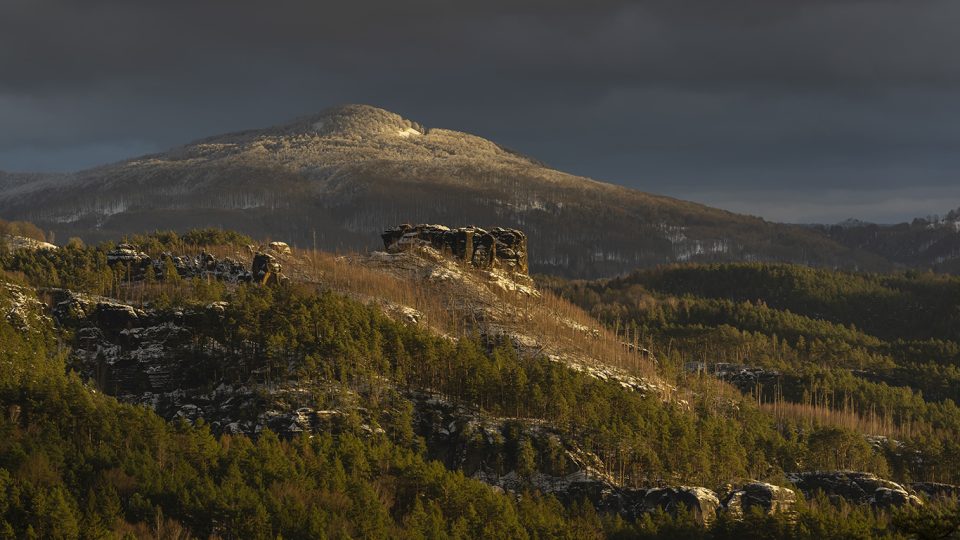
x=877 y=354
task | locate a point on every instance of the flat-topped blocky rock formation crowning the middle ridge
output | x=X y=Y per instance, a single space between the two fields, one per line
x=498 y=248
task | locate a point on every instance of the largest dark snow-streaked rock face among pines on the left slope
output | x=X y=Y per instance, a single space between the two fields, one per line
x=162 y=360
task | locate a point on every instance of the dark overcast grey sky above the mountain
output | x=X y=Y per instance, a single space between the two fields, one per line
x=796 y=111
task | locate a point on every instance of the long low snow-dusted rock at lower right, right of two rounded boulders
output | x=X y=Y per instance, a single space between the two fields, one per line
x=854 y=487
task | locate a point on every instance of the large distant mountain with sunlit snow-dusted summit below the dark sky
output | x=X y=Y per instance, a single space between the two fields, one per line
x=336 y=179
